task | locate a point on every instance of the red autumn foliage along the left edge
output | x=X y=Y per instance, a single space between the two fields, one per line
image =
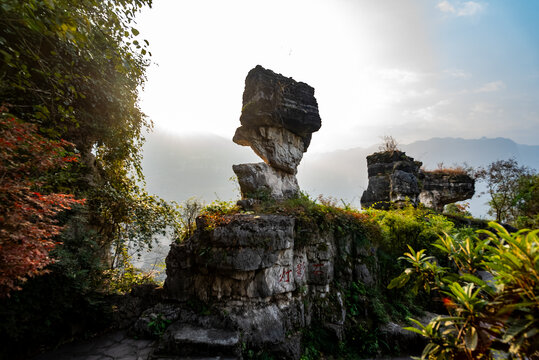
x=28 y=225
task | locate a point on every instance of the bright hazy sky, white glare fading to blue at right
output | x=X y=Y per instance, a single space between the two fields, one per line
x=414 y=69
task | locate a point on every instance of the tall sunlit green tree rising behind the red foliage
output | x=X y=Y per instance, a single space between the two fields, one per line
x=75 y=69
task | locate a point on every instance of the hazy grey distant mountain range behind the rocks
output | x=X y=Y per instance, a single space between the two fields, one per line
x=180 y=167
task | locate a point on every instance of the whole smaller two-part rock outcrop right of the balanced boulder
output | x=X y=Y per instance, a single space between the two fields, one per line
x=396 y=178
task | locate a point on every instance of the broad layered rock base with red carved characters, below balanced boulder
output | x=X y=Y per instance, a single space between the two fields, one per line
x=265 y=281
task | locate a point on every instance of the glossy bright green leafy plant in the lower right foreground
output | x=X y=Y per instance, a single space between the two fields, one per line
x=493 y=300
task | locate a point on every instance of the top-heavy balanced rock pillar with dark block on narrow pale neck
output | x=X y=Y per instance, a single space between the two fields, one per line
x=278 y=118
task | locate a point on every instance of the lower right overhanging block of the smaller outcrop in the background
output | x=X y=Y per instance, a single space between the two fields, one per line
x=440 y=189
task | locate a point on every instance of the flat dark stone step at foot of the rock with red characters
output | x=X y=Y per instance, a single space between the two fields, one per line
x=186 y=341
